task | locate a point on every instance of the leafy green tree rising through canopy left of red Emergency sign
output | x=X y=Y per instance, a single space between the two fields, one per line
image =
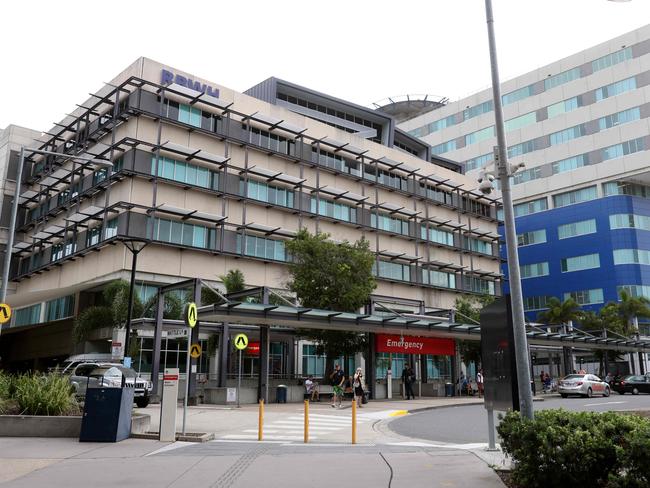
x=331 y=276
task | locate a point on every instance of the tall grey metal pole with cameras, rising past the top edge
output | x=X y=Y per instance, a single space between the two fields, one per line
x=504 y=172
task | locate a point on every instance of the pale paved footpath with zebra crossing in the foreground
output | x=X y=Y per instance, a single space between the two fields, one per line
x=236 y=459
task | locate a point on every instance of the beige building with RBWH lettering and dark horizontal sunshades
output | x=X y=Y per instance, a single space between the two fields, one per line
x=218 y=180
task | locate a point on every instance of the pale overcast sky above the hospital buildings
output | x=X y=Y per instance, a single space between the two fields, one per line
x=55 y=52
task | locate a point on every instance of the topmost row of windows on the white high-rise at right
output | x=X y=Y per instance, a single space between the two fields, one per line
x=521 y=93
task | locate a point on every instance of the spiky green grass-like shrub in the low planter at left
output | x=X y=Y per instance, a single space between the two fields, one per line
x=43 y=394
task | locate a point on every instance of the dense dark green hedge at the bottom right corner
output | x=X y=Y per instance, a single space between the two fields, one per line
x=560 y=448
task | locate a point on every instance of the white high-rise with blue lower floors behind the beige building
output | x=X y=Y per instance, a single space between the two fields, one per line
x=581 y=125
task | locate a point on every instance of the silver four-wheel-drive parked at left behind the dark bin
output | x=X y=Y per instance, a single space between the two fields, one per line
x=109 y=375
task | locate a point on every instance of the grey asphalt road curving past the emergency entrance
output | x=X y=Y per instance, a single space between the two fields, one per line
x=468 y=424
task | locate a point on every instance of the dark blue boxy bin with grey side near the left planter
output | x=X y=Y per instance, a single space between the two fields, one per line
x=107 y=414
